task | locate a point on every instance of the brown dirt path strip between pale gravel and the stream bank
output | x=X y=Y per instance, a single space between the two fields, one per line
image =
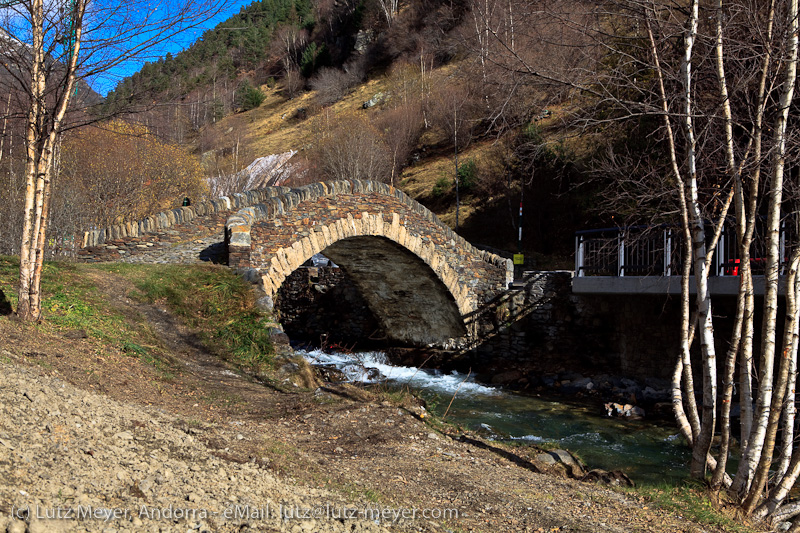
x=354 y=445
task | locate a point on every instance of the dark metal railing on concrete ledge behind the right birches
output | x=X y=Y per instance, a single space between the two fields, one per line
x=657 y=251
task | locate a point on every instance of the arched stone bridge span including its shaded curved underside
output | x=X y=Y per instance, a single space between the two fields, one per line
x=395 y=249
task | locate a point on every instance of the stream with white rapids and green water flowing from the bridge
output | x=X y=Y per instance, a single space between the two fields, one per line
x=646 y=452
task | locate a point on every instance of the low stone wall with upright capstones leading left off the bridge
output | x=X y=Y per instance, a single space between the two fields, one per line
x=176 y=225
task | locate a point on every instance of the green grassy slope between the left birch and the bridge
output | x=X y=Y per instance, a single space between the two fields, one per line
x=212 y=300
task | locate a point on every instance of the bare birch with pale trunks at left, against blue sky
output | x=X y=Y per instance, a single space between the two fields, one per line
x=48 y=53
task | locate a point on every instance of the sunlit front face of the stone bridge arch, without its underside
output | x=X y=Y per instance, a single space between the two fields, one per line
x=278 y=236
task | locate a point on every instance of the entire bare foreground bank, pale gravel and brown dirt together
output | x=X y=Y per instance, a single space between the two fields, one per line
x=199 y=446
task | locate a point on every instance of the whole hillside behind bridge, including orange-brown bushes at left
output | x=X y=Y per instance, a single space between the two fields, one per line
x=433 y=96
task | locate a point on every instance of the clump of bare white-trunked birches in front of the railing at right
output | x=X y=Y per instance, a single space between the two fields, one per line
x=709 y=86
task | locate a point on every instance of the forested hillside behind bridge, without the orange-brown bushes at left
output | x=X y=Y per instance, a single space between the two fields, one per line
x=409 y=87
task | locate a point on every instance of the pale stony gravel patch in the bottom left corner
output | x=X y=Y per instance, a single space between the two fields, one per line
x=65 y=452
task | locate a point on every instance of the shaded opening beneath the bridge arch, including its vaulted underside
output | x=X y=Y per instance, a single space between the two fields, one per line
x=381 y=286
